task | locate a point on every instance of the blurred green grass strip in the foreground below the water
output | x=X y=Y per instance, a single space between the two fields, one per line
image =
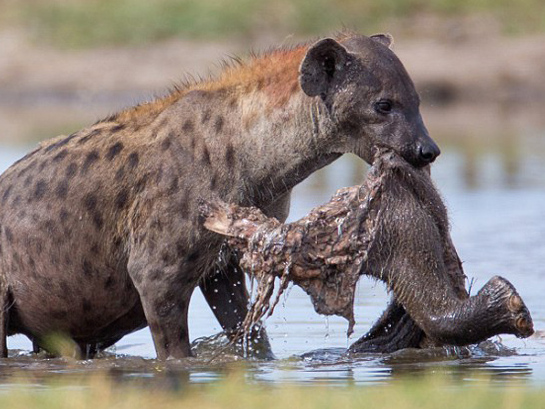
x=235 y=393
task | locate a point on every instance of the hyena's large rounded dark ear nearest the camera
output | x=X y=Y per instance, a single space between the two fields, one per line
x=321 y=65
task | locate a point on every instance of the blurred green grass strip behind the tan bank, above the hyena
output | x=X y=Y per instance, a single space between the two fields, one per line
x=85 y=23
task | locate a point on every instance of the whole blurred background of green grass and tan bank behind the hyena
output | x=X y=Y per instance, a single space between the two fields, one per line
x=68 y=63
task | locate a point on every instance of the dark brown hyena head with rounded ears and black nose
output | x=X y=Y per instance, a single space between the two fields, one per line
x=370 y=98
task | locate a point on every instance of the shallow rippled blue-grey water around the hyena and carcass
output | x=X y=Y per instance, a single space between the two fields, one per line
x=496 y=199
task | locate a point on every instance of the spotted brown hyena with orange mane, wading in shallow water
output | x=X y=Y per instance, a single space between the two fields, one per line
x=99 y=230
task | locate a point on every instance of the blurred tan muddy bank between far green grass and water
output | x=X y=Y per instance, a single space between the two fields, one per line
x=46 y=91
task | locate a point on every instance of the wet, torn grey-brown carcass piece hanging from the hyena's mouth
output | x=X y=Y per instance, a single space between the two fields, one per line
x=393 y=228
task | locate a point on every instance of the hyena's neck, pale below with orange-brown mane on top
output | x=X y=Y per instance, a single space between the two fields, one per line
x=272 y=135
